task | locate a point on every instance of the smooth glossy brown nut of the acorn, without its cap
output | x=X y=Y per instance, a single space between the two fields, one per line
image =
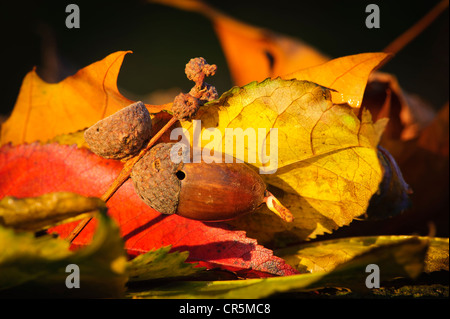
x=219 y=191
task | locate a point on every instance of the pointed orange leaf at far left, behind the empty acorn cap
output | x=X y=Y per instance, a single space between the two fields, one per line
x=44 y=110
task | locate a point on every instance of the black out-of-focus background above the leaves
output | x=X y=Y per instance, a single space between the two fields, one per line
x=163 y=39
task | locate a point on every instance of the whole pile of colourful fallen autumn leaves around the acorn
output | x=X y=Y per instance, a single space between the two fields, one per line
x=351 y=146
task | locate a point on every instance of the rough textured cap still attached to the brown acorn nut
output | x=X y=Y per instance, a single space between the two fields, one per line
x=155 y=180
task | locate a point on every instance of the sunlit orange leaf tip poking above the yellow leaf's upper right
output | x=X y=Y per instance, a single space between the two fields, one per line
x=347 y=76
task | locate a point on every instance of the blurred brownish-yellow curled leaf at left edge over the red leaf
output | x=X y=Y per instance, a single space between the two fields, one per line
x=36 y=213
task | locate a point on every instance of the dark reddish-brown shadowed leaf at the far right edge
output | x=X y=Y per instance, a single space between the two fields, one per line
x=424 y=162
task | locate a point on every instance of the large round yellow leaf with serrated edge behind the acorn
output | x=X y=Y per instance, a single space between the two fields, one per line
x=327 y=168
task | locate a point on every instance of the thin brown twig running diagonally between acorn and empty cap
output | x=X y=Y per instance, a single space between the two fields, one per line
x=122 y=177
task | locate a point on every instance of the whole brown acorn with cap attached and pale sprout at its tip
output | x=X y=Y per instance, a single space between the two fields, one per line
x=201 y=191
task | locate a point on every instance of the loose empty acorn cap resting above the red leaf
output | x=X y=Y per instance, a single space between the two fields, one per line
x=122 y=134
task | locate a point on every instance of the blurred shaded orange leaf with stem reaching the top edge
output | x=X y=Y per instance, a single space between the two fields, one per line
x=253 y=53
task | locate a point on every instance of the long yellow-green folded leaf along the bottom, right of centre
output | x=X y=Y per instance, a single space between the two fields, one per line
x=403 y=258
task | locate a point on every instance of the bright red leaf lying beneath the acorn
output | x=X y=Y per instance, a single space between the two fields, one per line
x=34 y=169
